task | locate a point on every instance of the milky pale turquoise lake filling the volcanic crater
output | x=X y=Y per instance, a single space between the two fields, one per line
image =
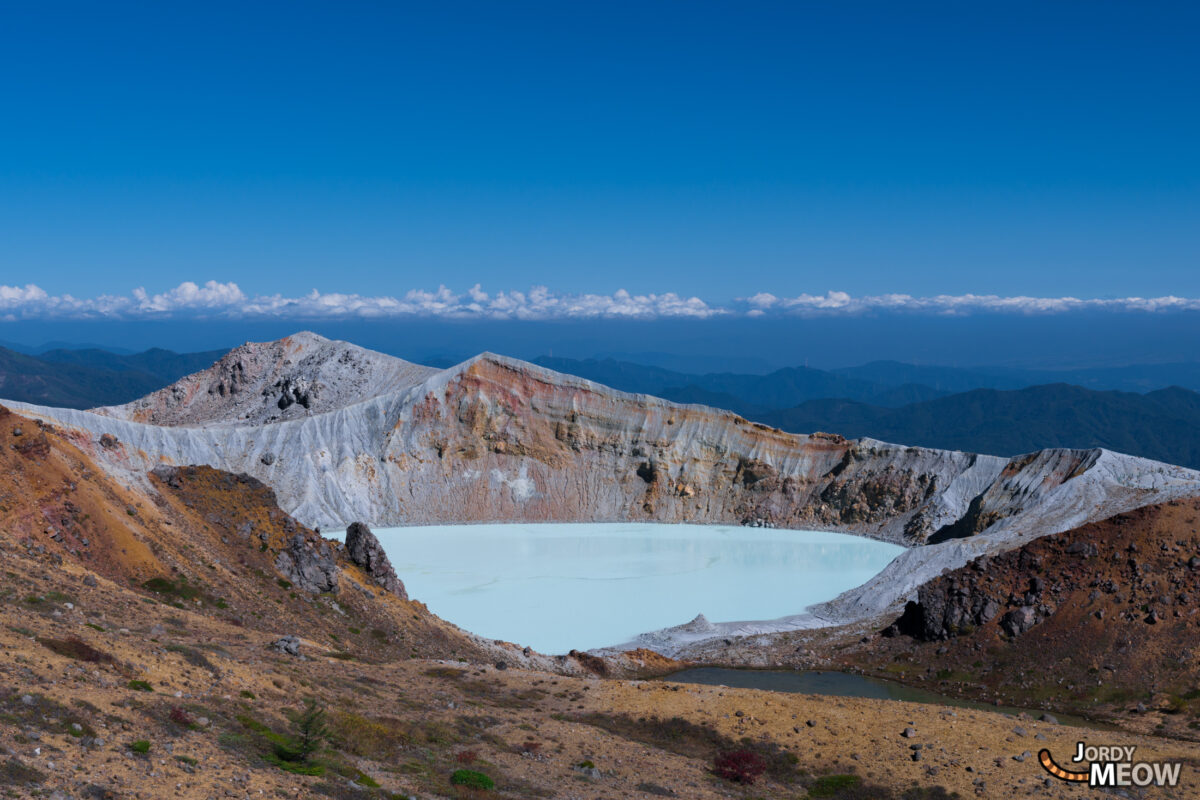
x=562 y=587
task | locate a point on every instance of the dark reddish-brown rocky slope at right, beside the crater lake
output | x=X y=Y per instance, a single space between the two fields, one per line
x=1101 y=621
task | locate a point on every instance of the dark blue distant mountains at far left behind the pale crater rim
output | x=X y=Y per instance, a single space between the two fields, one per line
x=93 y=377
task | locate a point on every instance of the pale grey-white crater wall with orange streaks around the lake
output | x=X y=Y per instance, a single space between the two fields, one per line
x=495 y=440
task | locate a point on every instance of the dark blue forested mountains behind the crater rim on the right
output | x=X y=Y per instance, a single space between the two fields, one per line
x=889 y=401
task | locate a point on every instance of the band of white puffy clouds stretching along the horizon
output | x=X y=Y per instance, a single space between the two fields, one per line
x=229 y=302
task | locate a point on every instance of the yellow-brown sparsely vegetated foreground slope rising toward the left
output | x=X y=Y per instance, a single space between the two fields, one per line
x=135 y=663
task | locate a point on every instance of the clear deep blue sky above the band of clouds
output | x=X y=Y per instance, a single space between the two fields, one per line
x=712 y=149
